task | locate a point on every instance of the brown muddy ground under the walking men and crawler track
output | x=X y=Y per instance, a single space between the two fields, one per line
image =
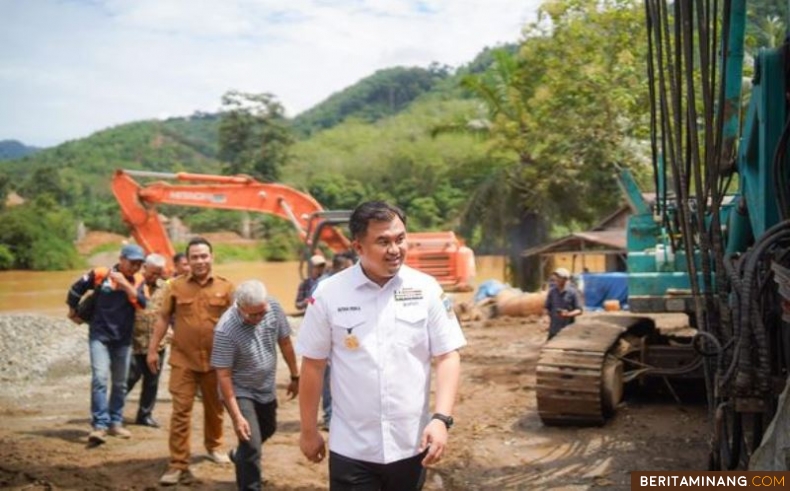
x=498 y=441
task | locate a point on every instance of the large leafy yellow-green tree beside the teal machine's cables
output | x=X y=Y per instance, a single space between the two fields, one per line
x=566 y=108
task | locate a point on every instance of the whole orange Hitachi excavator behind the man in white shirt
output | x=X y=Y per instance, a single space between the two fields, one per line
x=440 y=254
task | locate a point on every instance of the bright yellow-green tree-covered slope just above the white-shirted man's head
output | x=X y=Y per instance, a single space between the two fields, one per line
x=395 y=160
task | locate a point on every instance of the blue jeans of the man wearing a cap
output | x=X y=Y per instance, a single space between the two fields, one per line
x=109 y=361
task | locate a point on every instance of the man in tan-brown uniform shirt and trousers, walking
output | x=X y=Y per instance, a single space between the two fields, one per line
x=195 y=301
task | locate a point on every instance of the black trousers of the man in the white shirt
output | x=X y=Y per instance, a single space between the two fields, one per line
x=347 y=474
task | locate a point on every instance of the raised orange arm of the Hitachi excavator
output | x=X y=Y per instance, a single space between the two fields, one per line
x=138 y=204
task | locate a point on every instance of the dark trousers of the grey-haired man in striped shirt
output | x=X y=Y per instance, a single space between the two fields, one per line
x=263 y=421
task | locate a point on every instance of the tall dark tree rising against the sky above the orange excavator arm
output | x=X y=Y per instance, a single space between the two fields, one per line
x=254 y=136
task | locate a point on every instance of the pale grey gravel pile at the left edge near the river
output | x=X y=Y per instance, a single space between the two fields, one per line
x=34 y=347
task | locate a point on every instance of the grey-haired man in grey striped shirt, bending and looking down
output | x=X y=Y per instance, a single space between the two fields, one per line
x=245 y=357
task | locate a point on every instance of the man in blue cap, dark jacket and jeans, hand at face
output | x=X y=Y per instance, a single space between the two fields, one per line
x=116 y=296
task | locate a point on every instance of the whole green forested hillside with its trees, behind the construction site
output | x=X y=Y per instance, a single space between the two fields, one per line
x=518 y=145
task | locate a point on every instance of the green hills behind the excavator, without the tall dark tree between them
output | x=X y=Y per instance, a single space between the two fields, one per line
x=338 y=138
